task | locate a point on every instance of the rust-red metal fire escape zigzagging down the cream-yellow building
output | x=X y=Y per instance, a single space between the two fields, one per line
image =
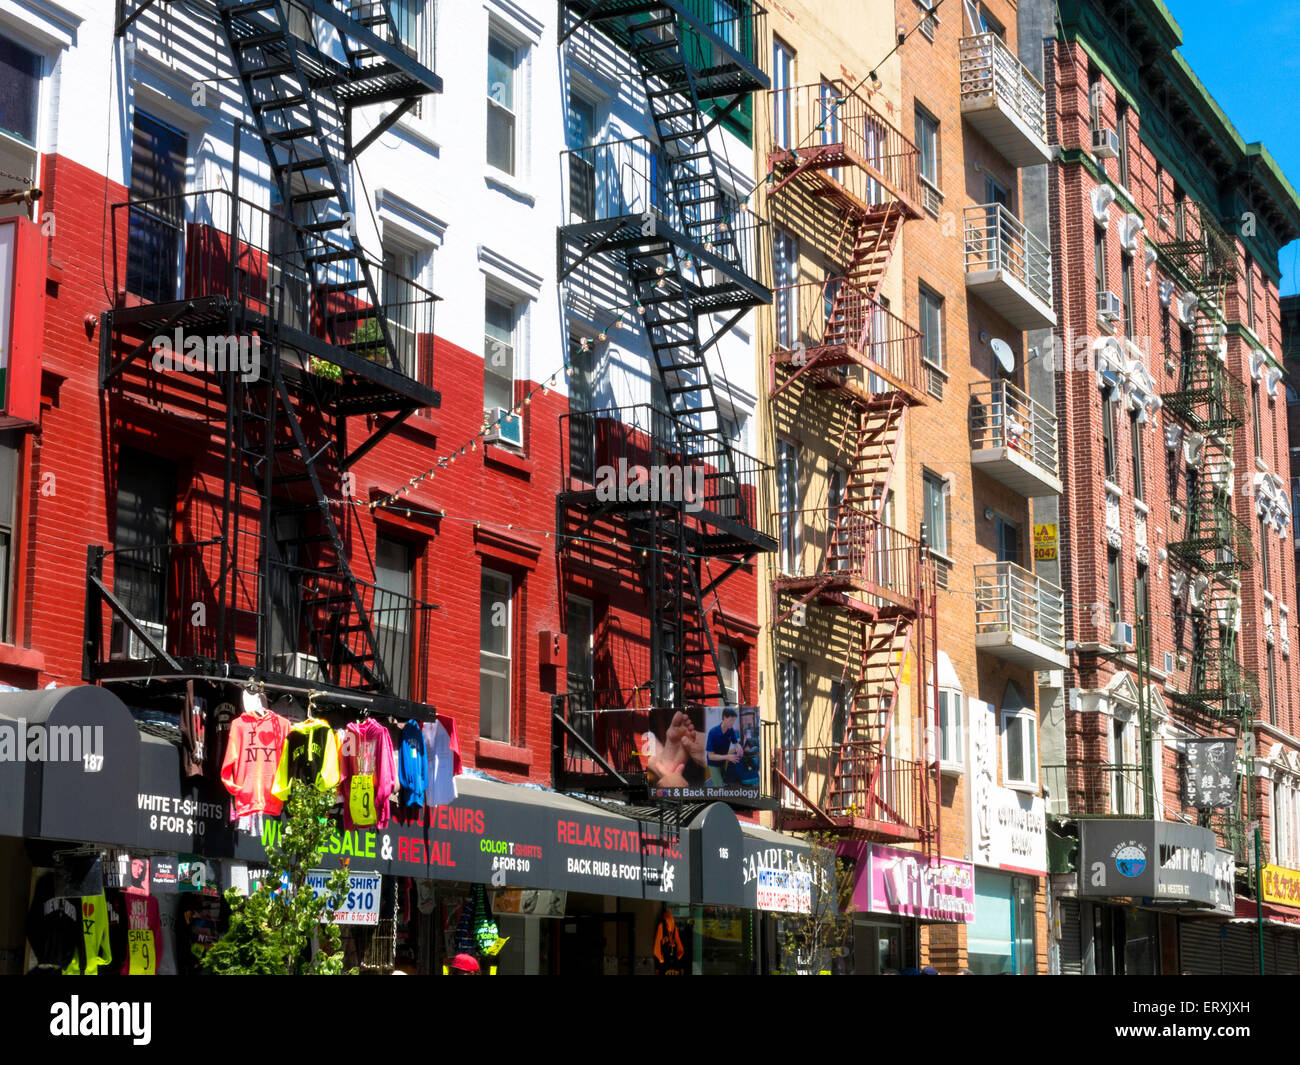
x=837 y=159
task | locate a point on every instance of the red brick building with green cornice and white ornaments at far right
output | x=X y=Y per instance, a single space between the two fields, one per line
x=1180 y=583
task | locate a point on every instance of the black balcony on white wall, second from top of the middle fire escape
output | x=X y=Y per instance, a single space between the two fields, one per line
x=634 y=202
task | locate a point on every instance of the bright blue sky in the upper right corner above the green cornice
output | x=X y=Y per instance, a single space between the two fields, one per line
x=1247 y=54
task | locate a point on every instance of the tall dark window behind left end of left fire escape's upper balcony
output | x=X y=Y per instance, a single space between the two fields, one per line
x=157 y=232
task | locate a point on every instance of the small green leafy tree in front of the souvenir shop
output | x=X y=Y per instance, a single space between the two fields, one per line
x=274 y=929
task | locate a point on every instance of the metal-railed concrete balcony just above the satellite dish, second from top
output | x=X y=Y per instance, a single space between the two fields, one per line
x=1008 y=267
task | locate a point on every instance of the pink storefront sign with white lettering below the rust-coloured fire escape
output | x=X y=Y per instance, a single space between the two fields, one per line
x=905 y=884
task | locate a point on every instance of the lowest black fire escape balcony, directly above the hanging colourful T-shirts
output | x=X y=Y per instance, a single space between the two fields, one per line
x=313 y=625
